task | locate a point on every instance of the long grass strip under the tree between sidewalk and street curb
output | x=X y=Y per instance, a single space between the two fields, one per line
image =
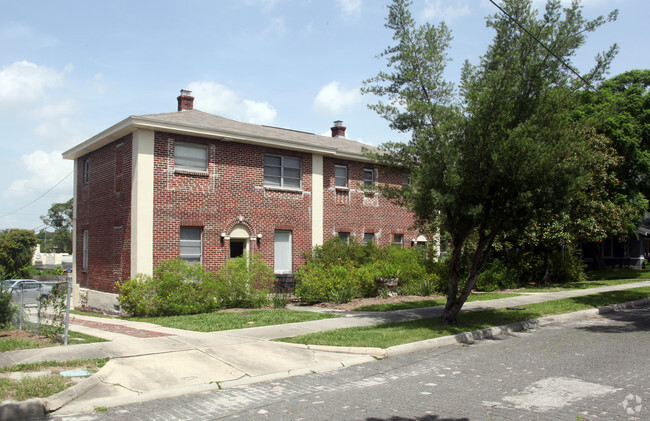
x=386 y=335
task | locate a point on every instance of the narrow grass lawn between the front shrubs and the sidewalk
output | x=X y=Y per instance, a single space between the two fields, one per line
x=239 y=319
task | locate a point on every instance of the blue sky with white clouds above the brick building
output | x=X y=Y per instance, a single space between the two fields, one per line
x=70 y=69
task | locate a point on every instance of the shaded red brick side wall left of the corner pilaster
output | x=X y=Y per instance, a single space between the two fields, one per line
x=103 y=208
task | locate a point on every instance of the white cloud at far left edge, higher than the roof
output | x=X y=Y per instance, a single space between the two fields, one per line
x=24 y=82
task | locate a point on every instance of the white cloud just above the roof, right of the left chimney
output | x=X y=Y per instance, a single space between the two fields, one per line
x=215 y=98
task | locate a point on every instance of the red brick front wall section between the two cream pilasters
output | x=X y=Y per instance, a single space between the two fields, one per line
x=233 y=188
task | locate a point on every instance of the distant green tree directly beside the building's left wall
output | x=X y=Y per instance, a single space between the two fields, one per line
x=59 y=219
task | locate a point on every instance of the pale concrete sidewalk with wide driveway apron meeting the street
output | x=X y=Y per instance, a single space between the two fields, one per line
x=150 y=362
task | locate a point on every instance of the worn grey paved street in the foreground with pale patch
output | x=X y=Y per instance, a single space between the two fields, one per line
x=592 y=369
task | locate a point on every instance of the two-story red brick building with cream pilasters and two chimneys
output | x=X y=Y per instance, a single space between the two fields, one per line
x=205 y=188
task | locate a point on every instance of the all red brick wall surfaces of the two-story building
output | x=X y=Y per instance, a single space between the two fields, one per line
x=231 y=189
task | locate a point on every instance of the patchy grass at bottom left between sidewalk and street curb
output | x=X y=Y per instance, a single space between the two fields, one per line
x=39 y=380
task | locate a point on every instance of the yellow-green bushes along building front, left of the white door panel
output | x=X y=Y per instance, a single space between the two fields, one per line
x=179 y=288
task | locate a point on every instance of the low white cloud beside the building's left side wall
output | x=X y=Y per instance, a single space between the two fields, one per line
x=42 y=171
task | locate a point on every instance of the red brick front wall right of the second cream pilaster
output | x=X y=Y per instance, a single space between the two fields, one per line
x=358 y=212
